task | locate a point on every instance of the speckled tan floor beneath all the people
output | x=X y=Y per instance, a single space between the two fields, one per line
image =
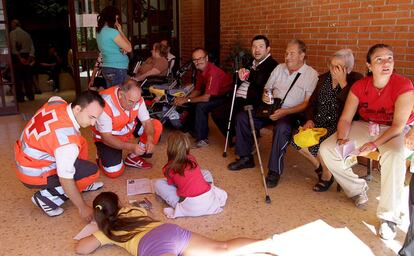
x=25 y=230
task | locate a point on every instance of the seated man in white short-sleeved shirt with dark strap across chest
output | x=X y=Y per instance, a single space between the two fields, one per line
x=283 y=119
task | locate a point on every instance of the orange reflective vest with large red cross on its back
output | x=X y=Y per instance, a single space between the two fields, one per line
x=49 y=129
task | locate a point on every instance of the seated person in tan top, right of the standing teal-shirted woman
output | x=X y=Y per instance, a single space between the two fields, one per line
x=156 y=65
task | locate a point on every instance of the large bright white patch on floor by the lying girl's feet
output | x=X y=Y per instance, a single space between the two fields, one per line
x=318 y=238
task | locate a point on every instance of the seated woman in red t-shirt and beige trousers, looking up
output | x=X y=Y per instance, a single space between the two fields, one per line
x=384 y=101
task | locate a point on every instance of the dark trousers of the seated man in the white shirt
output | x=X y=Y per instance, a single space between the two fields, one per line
x=282 y=133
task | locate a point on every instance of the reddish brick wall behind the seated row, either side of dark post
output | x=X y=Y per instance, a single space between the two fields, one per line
x=325 y=25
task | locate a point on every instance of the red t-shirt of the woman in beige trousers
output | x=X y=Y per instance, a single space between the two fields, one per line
x=377 y=105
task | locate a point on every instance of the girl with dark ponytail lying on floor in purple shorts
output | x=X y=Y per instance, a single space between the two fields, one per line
x=131 y=229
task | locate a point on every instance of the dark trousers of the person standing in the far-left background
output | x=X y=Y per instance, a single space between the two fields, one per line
x=24 y=79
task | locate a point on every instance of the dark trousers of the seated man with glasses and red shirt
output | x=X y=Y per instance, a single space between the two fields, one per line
x=202 y=109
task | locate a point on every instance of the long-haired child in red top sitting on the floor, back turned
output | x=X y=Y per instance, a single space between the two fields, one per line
x=187 y=188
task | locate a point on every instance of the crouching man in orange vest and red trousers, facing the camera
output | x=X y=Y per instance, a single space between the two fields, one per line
x=114 y=129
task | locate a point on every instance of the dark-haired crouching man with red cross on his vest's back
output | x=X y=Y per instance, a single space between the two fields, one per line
x=52 y=155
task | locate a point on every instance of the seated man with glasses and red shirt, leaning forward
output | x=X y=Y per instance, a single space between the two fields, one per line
x=210 y=91
